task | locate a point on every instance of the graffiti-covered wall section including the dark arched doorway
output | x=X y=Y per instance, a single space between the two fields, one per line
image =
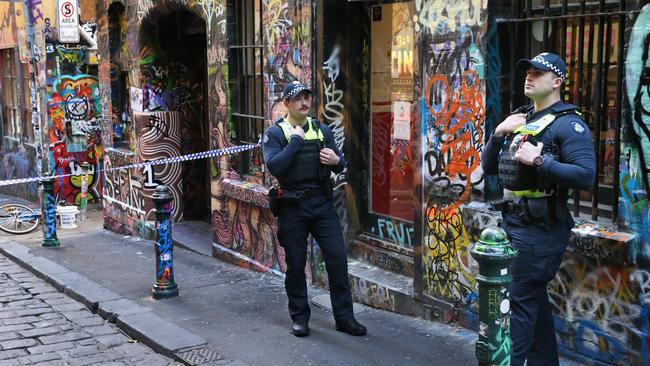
x=156 y=88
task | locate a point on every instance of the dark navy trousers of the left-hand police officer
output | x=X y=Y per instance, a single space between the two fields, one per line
x=316 y=216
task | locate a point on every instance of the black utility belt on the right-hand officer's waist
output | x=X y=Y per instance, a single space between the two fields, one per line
x=544 y=211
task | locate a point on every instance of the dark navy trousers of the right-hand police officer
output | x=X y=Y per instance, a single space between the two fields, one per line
x=532 y=326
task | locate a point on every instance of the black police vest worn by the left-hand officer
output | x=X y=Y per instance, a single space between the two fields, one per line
x=305 y=166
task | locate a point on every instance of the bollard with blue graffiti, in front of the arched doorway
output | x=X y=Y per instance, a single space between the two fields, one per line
x=165 y=286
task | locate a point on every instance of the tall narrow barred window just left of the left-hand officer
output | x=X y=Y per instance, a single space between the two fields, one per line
x=247 y=83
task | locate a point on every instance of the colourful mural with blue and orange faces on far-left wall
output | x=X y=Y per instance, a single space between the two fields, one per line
x=74 y=120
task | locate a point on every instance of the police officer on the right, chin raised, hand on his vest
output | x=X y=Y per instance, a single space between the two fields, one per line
x=540 y=153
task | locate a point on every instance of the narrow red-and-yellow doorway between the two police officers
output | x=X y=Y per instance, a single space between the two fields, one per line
x=393 y=51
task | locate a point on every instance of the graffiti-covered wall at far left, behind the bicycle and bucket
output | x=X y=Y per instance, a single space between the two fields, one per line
x=66 y=91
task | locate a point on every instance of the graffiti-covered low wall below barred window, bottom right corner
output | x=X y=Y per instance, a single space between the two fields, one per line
x=601 y=311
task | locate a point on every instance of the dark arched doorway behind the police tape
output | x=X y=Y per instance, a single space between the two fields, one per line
x=173 y=83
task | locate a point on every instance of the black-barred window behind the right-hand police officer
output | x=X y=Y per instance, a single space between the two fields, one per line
x=589 y=36
